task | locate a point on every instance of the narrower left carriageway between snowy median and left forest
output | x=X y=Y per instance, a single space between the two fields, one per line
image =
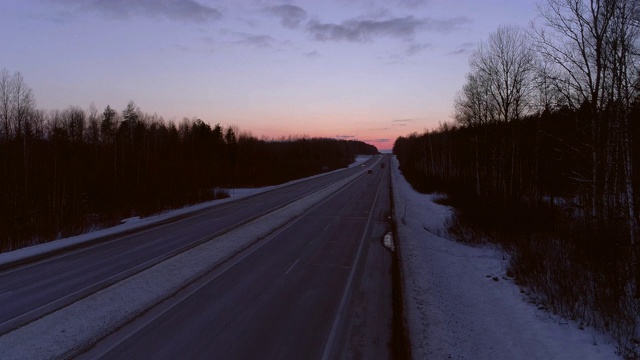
x=38 y=287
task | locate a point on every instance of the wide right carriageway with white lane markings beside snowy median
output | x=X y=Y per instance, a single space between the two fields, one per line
x=318 y=288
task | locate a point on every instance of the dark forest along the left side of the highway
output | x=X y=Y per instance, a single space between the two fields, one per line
x=64 y=172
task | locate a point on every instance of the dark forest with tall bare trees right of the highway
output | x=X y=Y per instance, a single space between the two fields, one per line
x=542 y=159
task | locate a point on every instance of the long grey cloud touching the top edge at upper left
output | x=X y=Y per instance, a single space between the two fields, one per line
x=182 y=10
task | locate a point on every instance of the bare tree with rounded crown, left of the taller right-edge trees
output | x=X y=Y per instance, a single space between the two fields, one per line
x=498 y=89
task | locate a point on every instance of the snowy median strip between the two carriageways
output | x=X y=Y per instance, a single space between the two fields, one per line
x=69 y=331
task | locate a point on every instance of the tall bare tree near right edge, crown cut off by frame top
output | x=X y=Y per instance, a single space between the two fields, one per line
x=573 y=39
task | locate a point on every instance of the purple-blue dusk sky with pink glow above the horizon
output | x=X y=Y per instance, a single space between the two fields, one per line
x=368 y=70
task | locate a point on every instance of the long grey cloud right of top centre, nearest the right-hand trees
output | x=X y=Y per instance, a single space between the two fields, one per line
x=365 y=30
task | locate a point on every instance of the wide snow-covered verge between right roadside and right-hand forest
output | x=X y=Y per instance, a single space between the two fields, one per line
x=459 y=304
